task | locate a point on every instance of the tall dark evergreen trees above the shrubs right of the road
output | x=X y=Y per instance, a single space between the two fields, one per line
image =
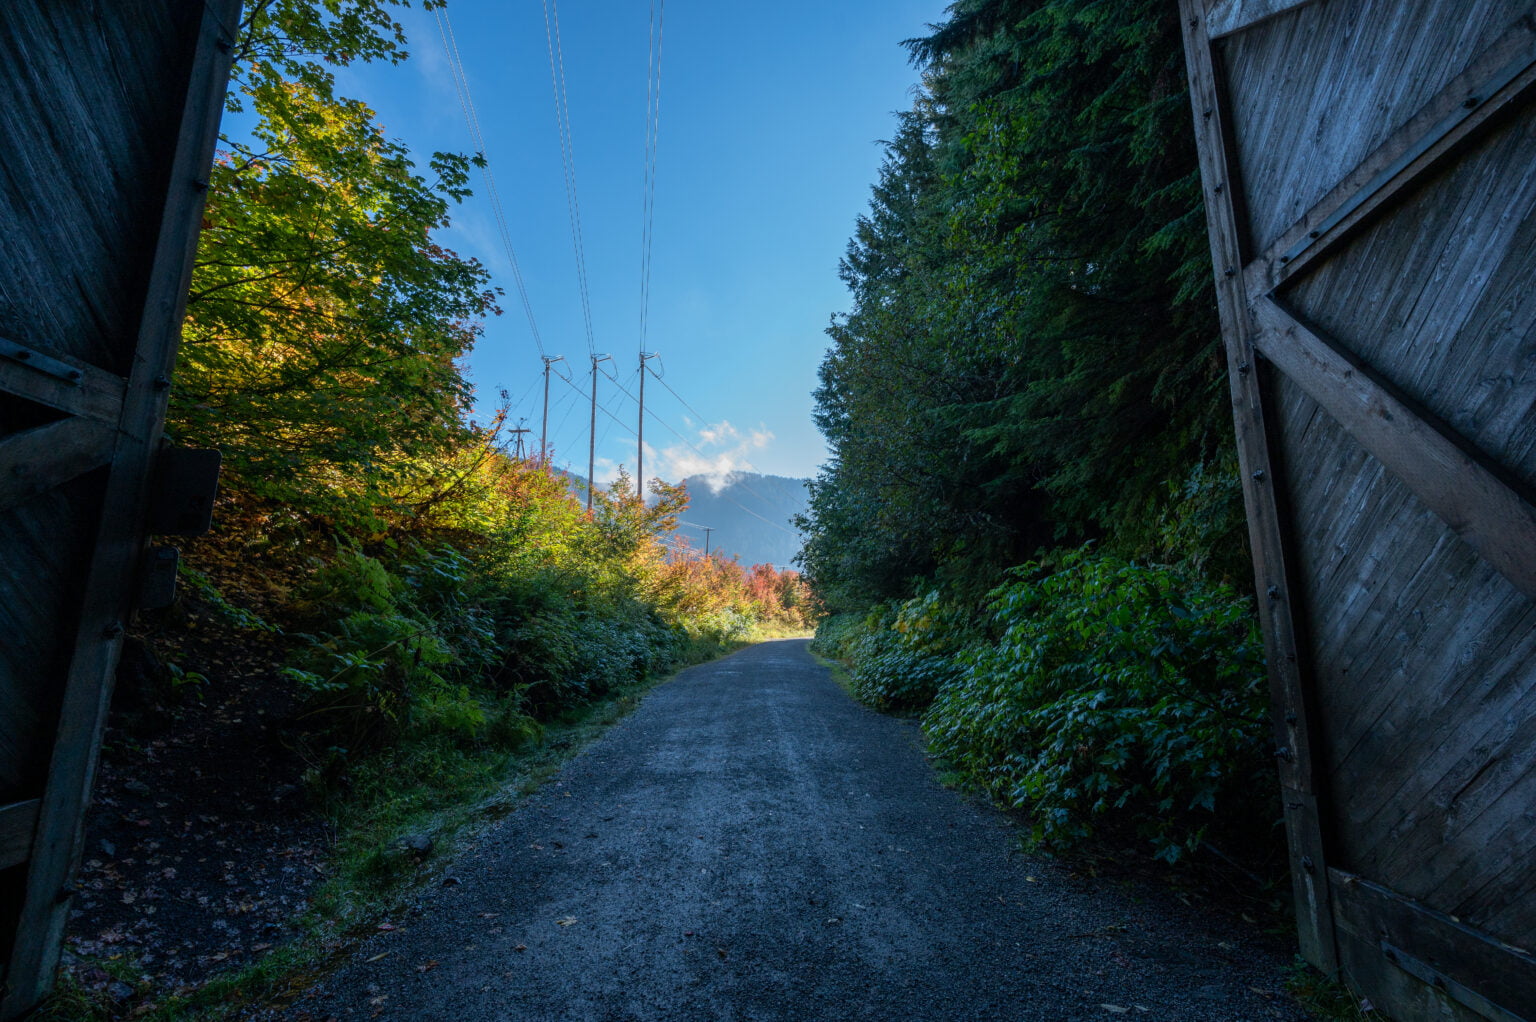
x=1031 y=353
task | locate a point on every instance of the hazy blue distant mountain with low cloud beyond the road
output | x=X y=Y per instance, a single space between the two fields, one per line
x=750 y=517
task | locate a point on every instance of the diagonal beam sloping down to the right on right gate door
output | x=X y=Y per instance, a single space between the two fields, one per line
x=1446 y=473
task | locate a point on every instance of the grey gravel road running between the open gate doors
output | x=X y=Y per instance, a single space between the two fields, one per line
x=753 y=844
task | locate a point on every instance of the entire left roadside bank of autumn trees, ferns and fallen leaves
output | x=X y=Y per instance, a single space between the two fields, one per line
x=397 y=623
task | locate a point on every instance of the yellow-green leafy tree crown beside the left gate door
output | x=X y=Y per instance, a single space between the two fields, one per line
x=325 y=325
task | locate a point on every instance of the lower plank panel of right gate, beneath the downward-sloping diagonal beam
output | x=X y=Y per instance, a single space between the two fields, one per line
x=1428 y=669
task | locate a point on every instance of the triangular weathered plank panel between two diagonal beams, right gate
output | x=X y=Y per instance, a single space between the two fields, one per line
x=1397 y=297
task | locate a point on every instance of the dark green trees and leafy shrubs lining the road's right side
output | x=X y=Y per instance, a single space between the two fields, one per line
x=1031 y=531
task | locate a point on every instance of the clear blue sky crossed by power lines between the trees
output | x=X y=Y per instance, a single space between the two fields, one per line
x=769 y=144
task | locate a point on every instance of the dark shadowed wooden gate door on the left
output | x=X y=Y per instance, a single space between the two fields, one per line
x=108 y=116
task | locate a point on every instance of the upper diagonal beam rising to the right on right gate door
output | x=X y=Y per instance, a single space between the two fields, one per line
x=1495 y=81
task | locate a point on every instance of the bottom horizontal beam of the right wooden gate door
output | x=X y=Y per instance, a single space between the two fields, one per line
x=1463 y=963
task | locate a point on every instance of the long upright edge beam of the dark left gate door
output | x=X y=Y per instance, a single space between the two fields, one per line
x=121 y=539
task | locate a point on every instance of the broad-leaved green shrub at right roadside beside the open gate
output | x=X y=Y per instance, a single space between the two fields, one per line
x=1119 y=692
